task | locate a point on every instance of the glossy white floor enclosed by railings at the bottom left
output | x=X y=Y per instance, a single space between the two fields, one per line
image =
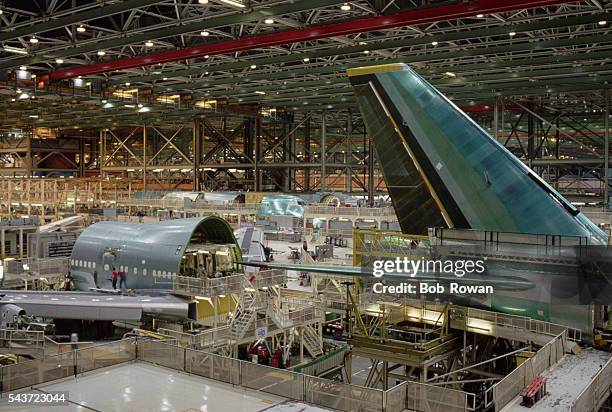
x=141 y=387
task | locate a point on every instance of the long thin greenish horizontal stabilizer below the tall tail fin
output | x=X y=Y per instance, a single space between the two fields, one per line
x=499 y=282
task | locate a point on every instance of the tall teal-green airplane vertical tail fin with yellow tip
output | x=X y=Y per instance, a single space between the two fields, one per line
x=441 y=167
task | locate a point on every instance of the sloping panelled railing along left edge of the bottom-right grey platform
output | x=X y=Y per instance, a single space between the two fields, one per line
x=511 y=385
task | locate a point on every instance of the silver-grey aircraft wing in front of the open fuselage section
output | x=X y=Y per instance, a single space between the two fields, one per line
x=97 y=306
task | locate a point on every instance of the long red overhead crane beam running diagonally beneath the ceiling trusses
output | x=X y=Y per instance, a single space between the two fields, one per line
x=368 y=24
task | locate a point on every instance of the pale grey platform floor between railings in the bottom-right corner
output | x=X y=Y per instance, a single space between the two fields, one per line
x=566 y=381
